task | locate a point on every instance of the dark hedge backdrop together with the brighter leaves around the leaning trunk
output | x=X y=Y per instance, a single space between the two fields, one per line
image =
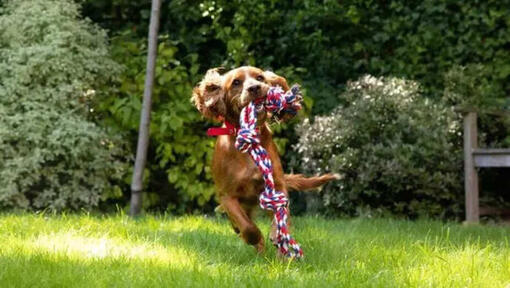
x=321 y=44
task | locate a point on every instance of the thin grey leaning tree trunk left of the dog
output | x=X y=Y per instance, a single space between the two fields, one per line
x=143 y=134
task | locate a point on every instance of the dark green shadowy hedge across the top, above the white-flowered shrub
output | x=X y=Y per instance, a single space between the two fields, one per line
x=323 y=44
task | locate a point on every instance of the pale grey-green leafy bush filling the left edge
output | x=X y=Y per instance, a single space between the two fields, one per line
x=52 y=67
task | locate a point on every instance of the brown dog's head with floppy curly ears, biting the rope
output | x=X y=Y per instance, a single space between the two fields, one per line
x=224 y=96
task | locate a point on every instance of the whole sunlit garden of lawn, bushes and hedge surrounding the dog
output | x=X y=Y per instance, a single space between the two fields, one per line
x=384 y=84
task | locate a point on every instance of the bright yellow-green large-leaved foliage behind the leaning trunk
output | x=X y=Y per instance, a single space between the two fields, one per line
x=177 y=169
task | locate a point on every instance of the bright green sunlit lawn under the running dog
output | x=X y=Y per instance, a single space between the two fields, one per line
x=38 y=250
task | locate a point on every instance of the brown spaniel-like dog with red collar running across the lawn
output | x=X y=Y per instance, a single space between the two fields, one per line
x=237 y=179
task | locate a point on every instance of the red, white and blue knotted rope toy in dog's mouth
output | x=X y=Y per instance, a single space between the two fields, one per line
x=248 y=141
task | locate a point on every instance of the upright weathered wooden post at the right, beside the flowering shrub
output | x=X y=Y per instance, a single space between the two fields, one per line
x=470 y=173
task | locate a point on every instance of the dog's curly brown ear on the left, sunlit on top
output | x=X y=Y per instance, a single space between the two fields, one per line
x=208 y=95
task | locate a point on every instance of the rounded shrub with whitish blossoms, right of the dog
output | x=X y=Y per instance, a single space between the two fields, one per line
x=397 y=151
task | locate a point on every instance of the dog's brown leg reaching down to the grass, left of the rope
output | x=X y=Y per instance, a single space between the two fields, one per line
x=241 y=220
